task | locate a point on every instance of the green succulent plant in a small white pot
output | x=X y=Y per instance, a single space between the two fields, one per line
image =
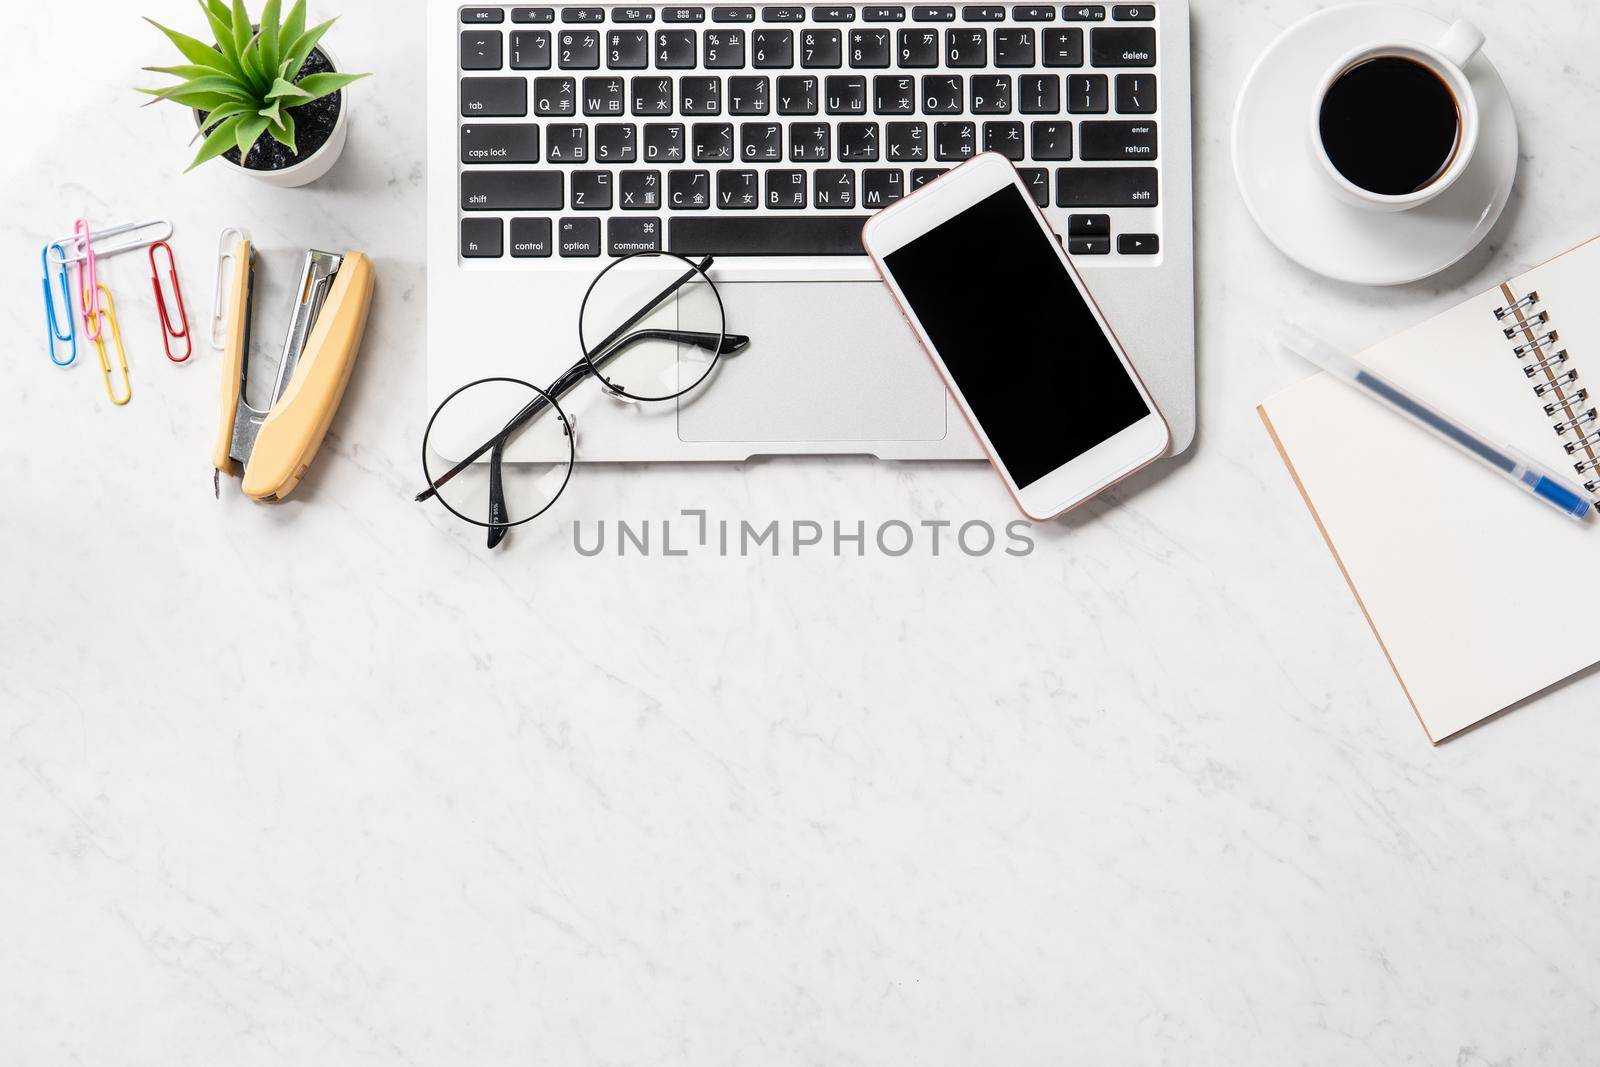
x=268 y=98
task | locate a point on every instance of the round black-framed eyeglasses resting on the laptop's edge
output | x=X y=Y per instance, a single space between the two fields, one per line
x=500 y=452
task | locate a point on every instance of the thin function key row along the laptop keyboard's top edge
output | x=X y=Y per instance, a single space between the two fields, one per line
x=922 y=14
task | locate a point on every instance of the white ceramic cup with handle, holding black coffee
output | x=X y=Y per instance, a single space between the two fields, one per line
x=1446 y=58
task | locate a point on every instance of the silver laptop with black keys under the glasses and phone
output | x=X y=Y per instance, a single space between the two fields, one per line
x=562 y=137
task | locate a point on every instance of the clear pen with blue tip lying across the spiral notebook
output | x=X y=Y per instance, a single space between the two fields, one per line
x=1526 y=473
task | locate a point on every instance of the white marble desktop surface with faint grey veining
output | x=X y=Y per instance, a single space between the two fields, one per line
x=330 y=785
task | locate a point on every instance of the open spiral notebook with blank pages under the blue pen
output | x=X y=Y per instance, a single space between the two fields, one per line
x=1479 y=596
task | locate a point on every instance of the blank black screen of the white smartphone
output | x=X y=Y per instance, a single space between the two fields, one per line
x=1018 y=340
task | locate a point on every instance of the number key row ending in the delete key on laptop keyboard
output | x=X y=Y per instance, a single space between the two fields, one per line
x=812 y=49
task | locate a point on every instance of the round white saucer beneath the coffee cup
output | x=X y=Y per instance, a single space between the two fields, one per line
x=1289 y=196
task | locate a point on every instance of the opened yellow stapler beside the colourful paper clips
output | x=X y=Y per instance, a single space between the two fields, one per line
x=274 y=447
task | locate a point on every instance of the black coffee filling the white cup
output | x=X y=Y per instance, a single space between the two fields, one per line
x=1390 y=126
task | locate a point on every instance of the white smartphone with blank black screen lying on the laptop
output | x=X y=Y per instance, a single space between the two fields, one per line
x=1017 y=337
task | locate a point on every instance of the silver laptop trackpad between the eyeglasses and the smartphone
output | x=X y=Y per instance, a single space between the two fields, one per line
x=828 y=362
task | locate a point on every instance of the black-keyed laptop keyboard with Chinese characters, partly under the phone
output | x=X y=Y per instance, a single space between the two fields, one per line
x=591 y=132
